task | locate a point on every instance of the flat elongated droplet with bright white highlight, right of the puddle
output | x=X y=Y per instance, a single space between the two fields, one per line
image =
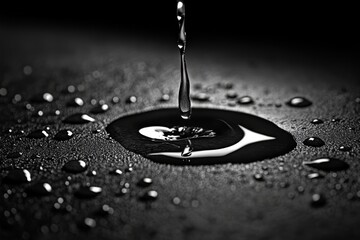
x=327 y=164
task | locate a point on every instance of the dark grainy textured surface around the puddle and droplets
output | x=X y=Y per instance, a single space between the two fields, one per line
x=217 y=202
